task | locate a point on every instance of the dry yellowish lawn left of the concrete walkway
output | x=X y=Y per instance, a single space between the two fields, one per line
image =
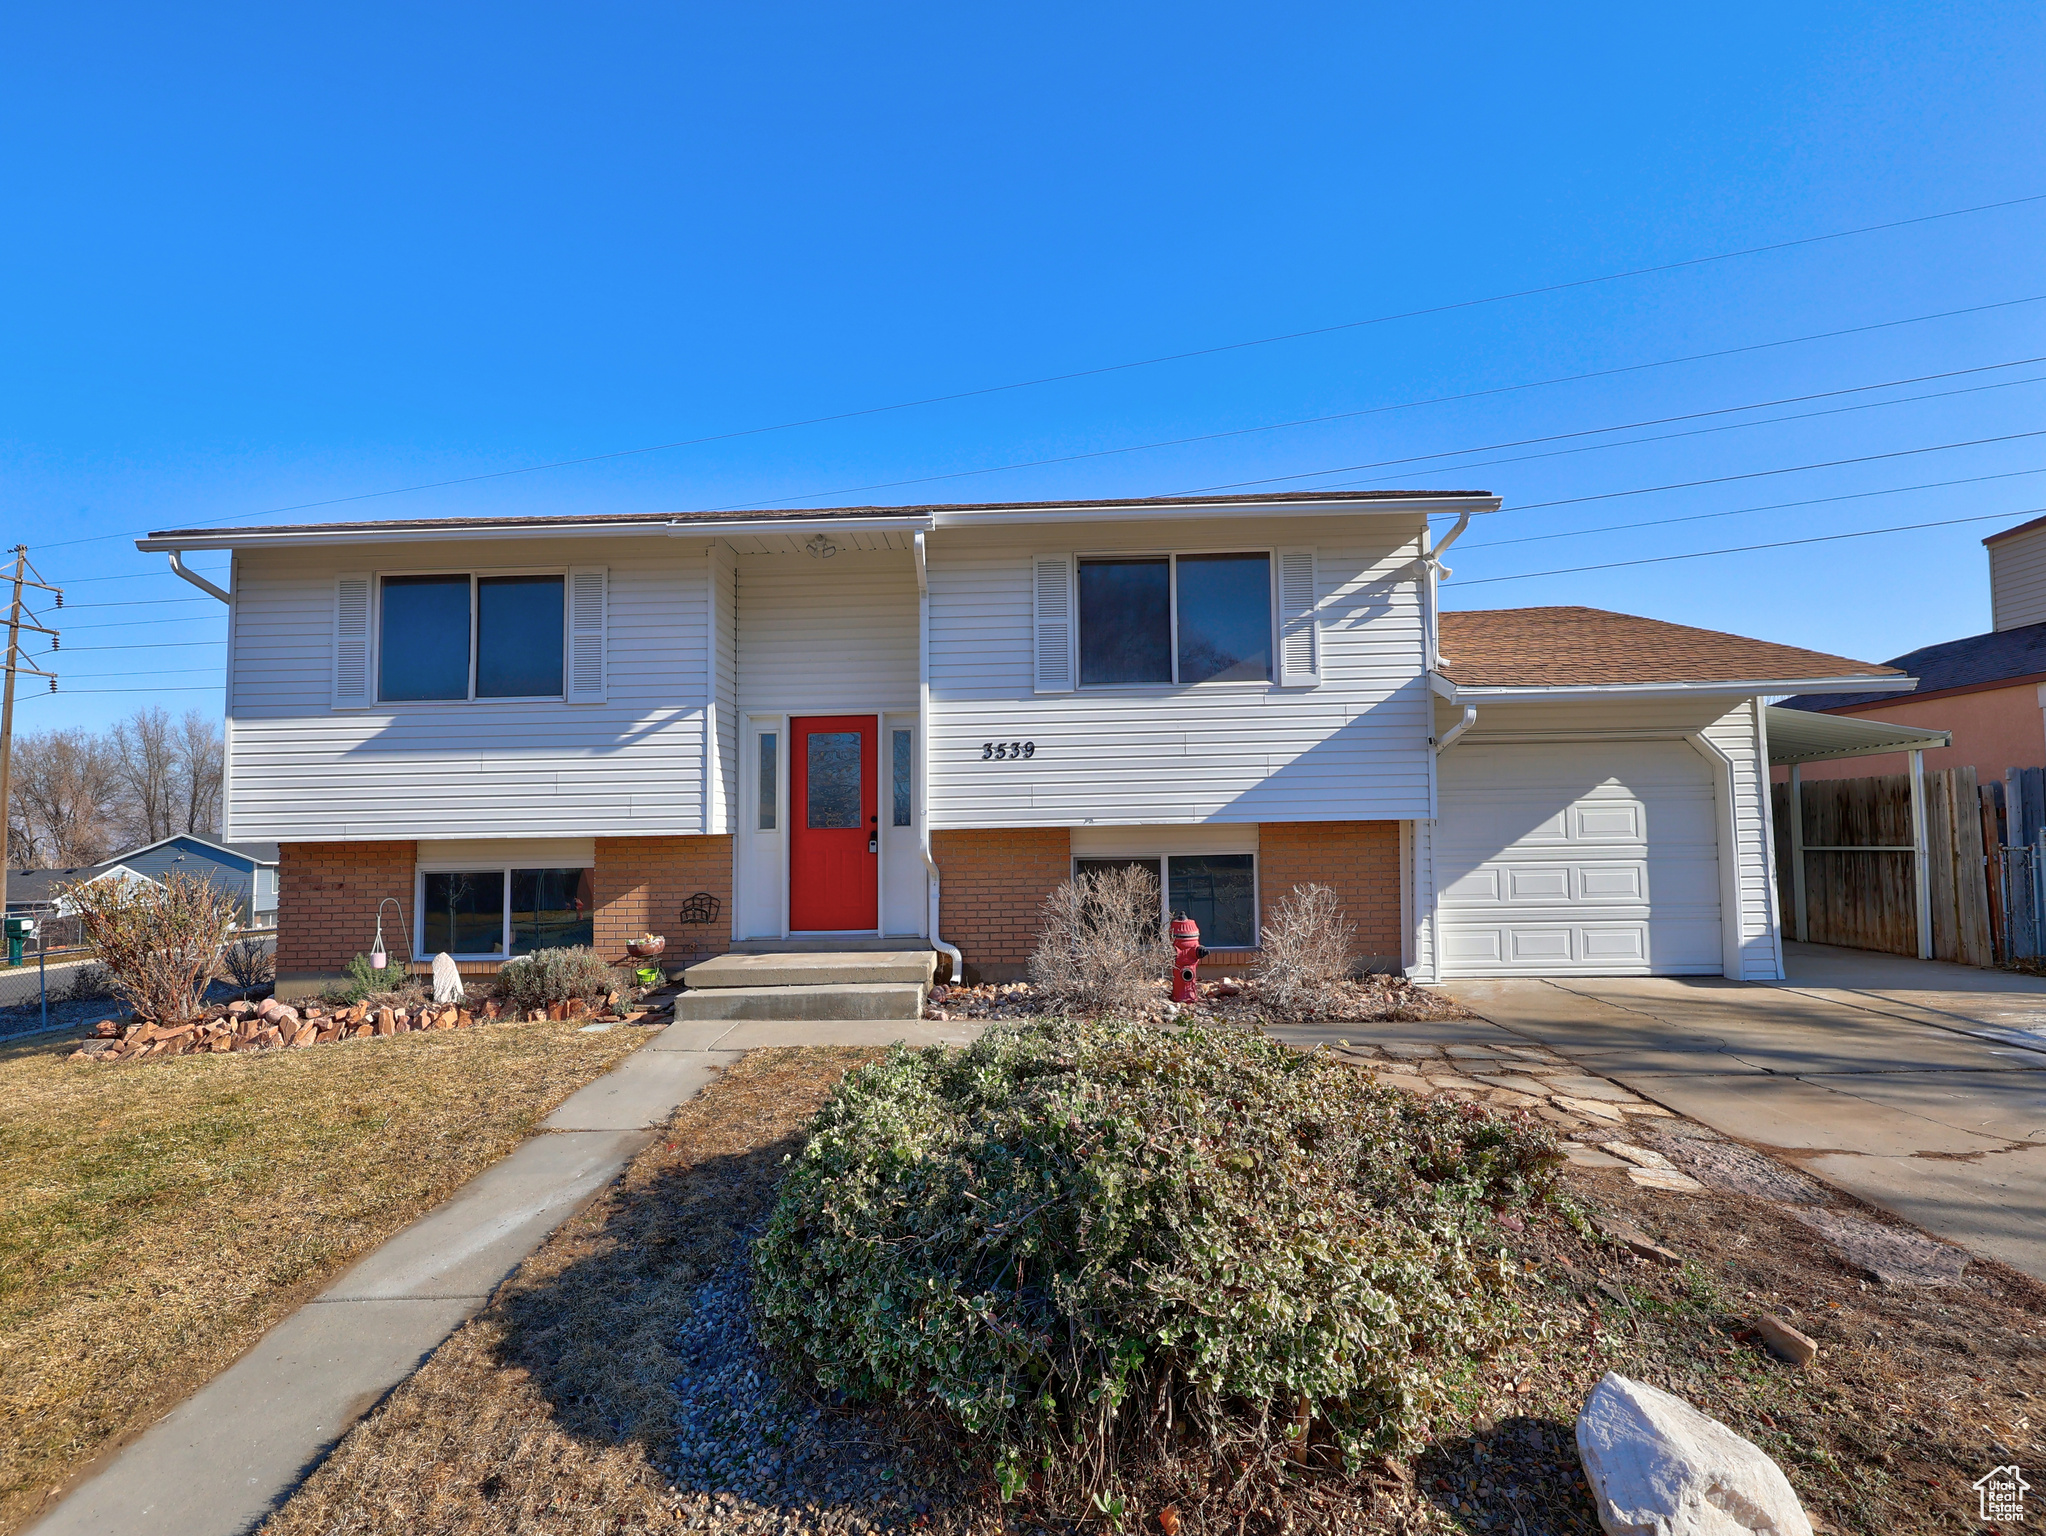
x=159 y=1218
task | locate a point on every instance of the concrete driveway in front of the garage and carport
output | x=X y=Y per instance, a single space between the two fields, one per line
x=1914 y=1085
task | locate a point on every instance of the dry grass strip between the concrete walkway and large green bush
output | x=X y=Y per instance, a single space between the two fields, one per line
x=541 y=1414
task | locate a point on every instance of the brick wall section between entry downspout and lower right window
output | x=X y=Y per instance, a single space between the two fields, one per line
x=993 y=885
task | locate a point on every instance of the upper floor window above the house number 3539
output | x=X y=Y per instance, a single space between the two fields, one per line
x=1175 y=619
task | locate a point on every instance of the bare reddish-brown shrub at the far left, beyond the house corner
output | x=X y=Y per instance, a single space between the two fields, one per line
x=163 y=942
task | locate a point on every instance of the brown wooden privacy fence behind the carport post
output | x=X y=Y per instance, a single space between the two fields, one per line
x=1861 y=866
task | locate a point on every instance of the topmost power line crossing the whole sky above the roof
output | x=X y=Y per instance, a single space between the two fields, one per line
x=1126 y=367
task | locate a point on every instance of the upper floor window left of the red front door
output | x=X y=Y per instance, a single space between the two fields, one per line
x=465 y=637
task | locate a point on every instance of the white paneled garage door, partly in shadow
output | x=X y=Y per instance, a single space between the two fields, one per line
x=1597 y=858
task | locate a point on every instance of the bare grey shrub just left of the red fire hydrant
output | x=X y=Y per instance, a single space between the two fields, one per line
x=1102 y=944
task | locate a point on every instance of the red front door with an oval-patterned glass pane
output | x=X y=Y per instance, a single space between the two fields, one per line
x=834 y=868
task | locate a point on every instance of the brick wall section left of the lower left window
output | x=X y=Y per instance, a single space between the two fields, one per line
x=328 y=899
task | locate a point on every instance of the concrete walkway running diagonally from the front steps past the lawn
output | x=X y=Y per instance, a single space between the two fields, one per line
x=232 y=1453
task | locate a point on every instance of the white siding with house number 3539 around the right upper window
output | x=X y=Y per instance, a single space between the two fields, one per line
x=1353 y=750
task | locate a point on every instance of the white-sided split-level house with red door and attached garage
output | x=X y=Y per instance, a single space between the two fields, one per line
x=907 y=725
